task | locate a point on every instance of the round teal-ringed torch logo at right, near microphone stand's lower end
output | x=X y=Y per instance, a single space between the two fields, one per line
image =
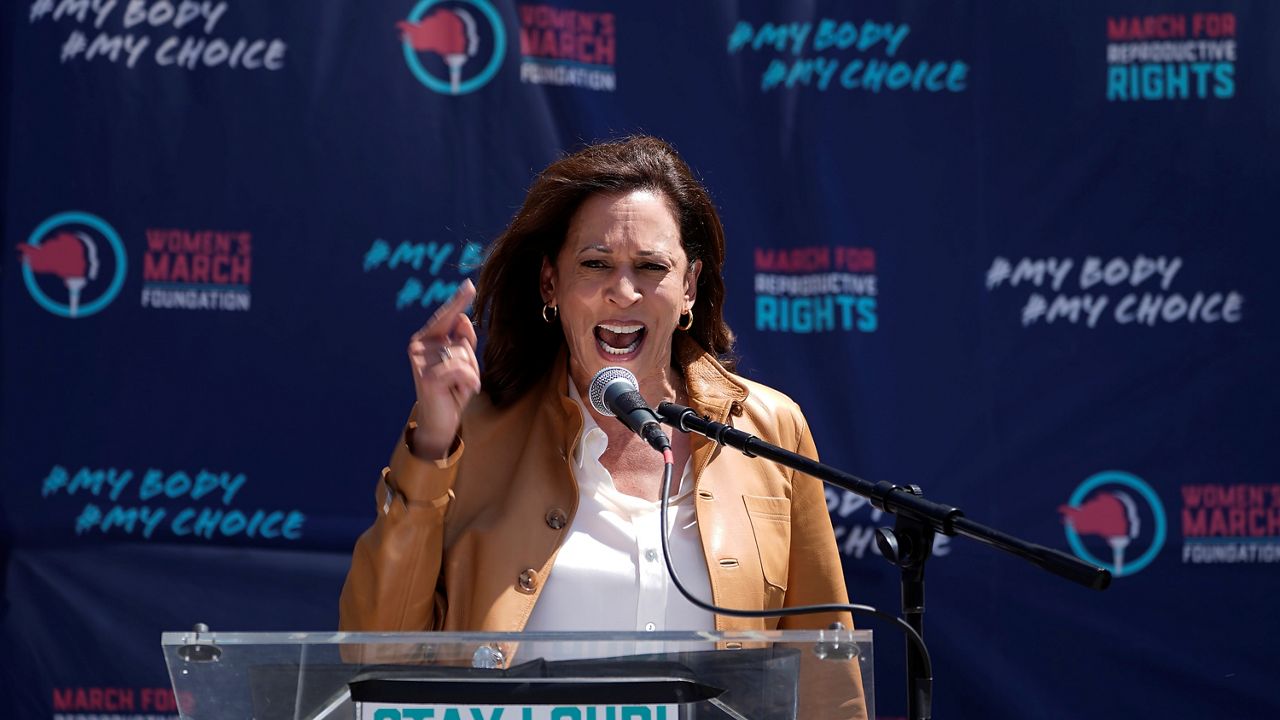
x=1110 y=505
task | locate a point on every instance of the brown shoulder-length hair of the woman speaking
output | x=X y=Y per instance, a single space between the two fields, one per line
x=520 y=348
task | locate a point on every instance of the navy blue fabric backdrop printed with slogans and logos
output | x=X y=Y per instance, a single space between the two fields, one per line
x=1017 y=254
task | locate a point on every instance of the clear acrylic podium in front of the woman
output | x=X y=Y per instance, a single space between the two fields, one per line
x=757 y=676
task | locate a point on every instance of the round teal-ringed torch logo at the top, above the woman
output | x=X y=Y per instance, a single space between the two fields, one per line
x=454 y=34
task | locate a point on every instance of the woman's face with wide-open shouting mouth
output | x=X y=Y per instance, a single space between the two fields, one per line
x=621 y=282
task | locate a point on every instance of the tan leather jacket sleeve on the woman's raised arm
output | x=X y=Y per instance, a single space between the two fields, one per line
x=394 y=584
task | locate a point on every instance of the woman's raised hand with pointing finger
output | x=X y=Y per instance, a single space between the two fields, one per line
x=446 y=373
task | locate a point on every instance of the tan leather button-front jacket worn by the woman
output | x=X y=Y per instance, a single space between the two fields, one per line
x=468 y=544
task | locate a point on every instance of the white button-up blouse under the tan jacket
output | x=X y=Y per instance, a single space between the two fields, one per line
x=609 y=573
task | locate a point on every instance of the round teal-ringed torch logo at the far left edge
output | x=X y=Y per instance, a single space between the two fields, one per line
x=70 y=247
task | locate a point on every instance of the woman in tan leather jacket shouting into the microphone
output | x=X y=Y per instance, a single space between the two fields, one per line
x=511 y=504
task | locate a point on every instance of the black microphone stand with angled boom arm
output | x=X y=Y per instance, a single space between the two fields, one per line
x=909 y=545
